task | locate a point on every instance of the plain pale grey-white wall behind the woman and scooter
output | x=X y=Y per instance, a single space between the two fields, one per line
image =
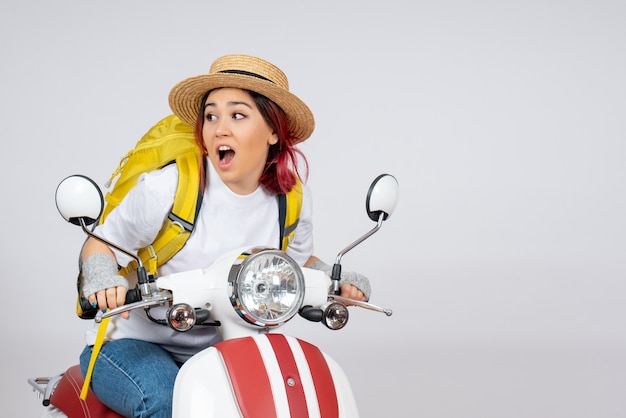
x=503 y=122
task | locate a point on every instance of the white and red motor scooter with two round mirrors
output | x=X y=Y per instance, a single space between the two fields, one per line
x=249 y=294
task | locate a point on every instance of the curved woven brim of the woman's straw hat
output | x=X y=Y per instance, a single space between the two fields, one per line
x=185 y=99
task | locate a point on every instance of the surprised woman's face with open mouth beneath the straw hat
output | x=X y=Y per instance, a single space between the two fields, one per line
x=237 y=138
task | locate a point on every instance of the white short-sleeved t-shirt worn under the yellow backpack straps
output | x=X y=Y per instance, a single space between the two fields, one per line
x=226 y=221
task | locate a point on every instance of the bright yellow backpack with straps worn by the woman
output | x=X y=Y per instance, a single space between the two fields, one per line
x=173 y=141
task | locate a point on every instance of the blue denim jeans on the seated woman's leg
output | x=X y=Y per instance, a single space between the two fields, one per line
x=134 y=378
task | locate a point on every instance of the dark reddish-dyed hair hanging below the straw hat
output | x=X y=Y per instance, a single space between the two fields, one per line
x=282 y=160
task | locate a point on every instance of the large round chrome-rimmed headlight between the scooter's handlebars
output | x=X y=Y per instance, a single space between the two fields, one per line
x=266 y=287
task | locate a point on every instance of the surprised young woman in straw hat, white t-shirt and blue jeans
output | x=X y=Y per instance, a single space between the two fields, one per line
x=247 y=125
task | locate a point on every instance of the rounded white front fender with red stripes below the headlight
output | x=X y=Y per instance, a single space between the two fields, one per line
x=267 y=375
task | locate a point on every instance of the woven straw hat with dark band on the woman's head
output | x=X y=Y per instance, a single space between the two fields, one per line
x=244 y=72
